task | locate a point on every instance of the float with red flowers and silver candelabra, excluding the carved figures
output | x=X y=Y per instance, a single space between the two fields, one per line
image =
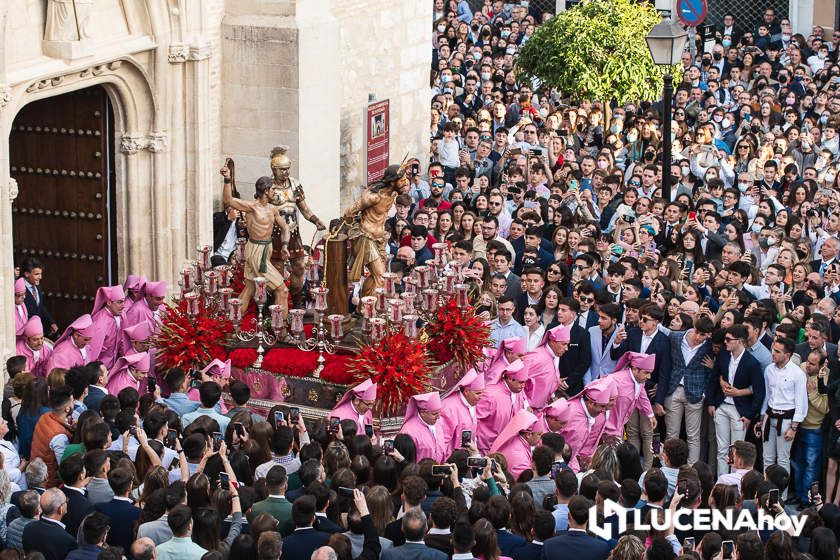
x=422 y=339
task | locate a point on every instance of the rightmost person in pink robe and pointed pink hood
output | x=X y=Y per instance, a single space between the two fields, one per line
x=631 y=394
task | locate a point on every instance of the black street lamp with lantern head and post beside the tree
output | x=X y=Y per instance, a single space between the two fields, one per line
x=666 y=42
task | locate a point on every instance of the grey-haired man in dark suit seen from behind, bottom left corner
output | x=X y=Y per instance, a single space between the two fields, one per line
x=48 y=535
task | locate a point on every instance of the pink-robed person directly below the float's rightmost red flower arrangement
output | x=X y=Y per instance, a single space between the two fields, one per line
x=458 y=413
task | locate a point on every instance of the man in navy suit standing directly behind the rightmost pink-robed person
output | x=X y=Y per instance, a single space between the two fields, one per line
x=645 y=339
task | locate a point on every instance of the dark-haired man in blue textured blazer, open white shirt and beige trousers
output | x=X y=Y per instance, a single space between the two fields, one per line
x=680 y=391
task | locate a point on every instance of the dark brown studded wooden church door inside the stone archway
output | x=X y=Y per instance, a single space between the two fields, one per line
x=61 y=152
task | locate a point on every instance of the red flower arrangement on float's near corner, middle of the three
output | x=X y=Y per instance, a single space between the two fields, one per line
x=400 y=366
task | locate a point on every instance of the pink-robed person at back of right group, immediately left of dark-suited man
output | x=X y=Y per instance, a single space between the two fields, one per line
x=541 y=363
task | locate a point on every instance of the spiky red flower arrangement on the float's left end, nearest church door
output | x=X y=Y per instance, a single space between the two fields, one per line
x=191 y=343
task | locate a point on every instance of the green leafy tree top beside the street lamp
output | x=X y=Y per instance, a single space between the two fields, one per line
x=596 y=50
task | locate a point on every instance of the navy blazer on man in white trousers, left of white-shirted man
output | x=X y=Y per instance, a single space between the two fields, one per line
x=747 y=374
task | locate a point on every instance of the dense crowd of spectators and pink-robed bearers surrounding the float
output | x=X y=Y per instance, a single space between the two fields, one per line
x=659 y=353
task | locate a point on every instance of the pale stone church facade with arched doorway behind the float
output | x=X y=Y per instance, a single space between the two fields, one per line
x=182 y=84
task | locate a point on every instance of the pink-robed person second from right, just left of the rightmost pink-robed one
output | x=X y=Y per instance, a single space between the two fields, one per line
x=587 y=418
